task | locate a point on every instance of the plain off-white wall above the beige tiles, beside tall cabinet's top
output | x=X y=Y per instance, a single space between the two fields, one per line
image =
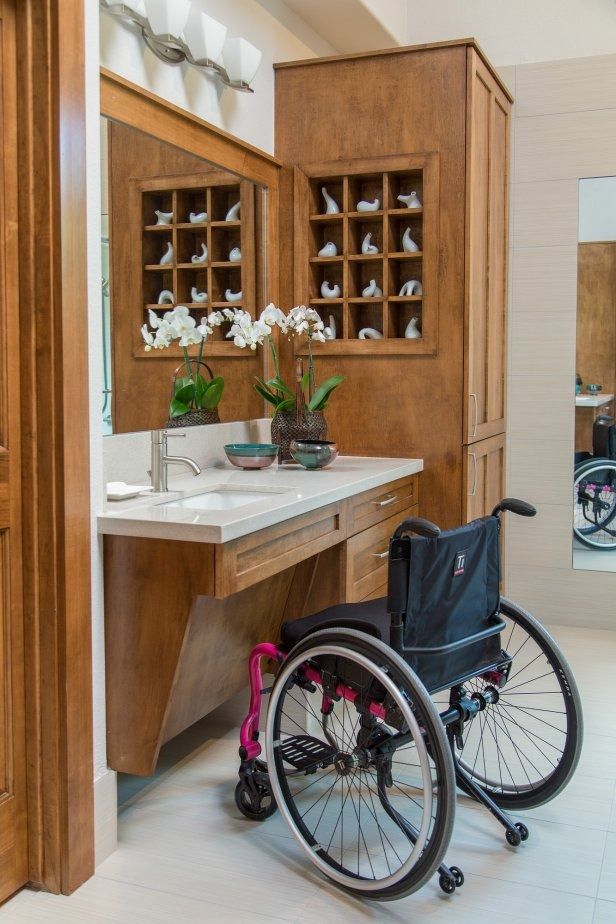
x=521 y=31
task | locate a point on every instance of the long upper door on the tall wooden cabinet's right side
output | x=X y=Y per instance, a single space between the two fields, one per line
x=486 y=257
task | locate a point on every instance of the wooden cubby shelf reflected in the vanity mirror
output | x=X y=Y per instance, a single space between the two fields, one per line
x=215 y=194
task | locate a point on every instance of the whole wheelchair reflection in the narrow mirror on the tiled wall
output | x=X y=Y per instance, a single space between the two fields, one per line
x=594 y=488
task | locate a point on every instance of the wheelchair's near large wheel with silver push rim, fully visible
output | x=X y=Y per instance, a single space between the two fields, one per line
x=360 y=765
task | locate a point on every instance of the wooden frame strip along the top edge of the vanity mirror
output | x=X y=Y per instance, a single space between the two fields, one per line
x=129 y=103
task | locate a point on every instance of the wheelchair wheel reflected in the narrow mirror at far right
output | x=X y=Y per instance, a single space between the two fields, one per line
x=592 y=531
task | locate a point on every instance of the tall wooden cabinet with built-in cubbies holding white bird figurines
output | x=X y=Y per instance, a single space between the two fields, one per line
x=434 y=120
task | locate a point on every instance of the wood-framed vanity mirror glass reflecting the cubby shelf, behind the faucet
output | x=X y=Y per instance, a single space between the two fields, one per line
x=177 y=230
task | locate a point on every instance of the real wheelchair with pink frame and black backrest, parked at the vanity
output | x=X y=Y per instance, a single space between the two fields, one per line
x=380 y=710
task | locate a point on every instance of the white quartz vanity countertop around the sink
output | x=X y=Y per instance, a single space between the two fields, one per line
x=290 y=490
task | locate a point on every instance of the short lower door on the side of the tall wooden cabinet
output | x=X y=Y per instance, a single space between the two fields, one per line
x=484 y=476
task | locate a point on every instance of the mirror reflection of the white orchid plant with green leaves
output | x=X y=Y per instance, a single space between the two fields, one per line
x=191 y=391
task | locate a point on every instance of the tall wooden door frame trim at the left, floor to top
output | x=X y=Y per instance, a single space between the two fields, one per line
x=55 y=442
